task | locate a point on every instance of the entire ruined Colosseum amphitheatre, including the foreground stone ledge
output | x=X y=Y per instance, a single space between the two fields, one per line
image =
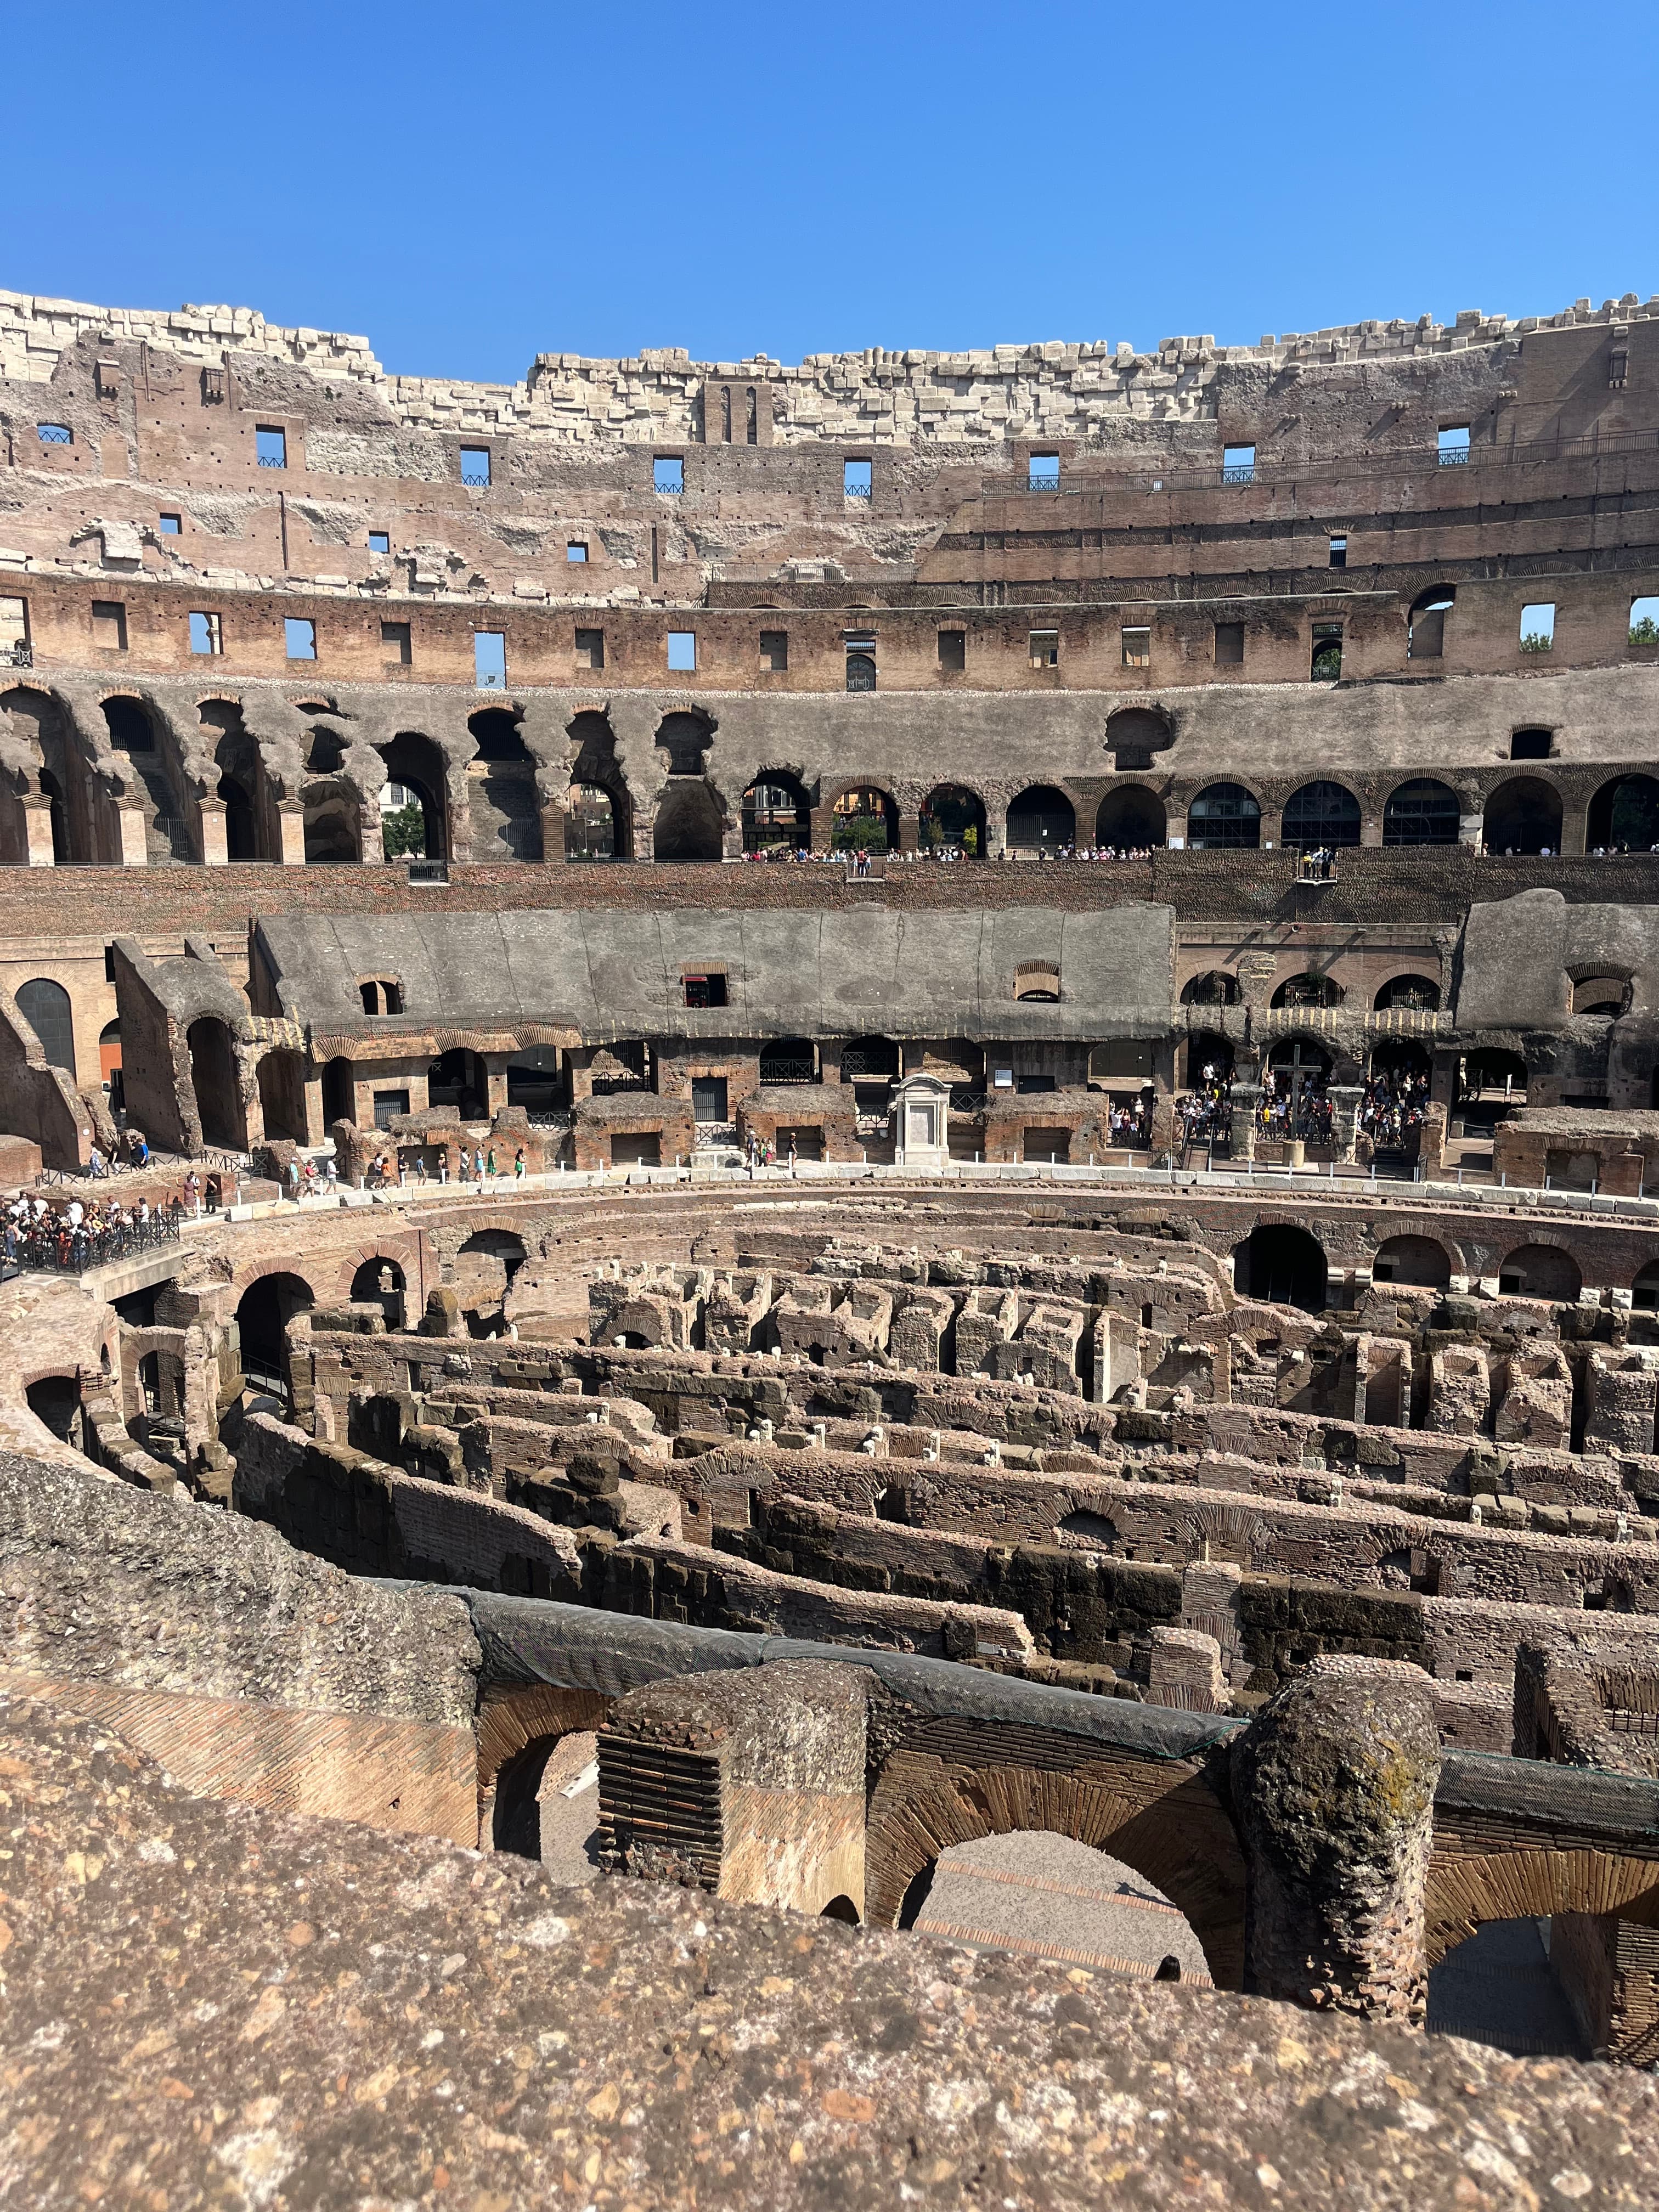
x=855 y=1149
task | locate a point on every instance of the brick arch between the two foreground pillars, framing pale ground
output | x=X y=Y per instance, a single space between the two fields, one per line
x=1160 y=1817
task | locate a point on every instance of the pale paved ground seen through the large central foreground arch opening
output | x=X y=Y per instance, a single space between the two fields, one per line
x=1041 y=1895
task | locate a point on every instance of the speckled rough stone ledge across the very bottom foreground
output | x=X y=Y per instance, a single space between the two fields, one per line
x=209 y=2005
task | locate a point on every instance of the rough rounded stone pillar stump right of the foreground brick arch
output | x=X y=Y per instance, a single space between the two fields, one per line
x=1333 y=1791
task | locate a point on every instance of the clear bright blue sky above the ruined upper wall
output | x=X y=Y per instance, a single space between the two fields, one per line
x=477 y=185
